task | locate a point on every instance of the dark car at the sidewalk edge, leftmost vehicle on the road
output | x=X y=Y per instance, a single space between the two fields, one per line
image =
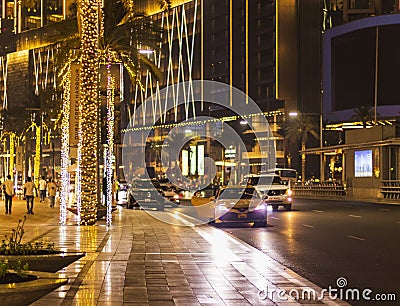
x=146 y=193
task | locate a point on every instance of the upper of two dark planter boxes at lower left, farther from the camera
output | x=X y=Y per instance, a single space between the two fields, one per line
x=45 y=263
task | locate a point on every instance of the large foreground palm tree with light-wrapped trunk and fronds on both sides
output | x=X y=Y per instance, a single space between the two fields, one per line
x=122 y=31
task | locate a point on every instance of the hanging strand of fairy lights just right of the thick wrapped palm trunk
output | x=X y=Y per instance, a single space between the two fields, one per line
x=110 y=141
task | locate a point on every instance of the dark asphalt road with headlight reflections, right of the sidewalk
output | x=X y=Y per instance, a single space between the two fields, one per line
x=325 y=240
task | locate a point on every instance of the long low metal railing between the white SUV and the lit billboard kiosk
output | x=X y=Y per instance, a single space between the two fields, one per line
x=319 y=189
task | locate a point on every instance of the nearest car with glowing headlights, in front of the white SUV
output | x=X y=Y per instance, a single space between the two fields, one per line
x=240 y=204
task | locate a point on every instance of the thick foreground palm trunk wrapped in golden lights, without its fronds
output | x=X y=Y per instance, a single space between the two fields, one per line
x=89 y=110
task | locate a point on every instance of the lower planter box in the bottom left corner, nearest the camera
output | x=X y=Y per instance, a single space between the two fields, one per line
x=27 y=292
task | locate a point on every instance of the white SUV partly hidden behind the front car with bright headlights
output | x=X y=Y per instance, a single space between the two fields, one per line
x=276 y=192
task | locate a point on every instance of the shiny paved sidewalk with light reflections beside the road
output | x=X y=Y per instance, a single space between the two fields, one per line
x=140 y=260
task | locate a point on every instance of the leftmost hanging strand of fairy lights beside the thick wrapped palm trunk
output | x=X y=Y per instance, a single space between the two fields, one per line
x=64 y=194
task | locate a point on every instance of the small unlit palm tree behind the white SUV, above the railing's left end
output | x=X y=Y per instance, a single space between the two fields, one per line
x=300 y=128
